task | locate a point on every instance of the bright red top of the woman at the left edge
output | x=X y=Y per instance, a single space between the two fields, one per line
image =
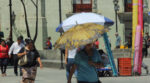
x=4 y=51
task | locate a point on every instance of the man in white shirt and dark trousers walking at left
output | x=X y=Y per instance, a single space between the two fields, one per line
x=13 y=51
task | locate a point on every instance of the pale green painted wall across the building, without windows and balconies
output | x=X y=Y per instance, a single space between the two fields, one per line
x=51 y=18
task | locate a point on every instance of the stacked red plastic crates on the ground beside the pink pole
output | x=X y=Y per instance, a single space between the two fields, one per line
x=124 y=66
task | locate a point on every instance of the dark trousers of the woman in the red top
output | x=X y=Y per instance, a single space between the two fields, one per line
x=3 y=65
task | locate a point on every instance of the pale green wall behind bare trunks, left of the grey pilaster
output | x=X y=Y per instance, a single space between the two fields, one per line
x=19 y=22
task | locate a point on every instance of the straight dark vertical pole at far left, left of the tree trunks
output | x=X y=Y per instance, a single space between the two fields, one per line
x=10 y=33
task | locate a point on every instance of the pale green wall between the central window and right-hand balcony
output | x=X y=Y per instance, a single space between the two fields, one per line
x=106 y=8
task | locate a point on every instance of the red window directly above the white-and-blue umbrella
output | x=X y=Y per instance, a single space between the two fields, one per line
x=82 y=6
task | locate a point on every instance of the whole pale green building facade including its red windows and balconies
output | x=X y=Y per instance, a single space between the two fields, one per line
x=49 y=17
